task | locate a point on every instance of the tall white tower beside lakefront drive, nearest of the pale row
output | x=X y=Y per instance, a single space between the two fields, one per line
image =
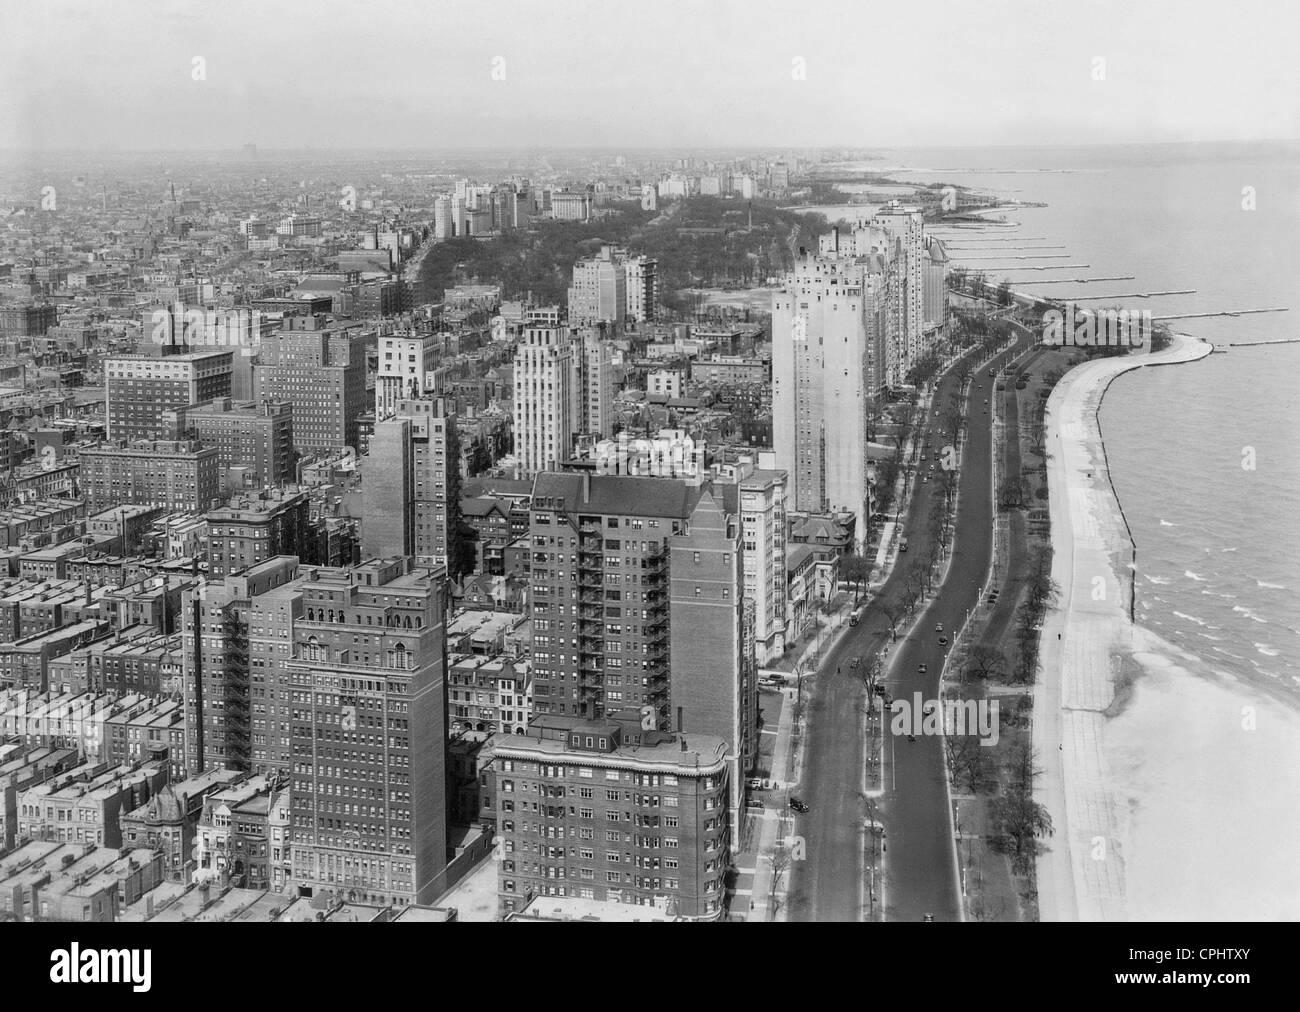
x=829 y=349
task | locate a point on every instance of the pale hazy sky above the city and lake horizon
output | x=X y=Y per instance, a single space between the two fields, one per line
x=444 y=75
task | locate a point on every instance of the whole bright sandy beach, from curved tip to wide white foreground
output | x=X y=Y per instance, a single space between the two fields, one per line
x=1173 y=798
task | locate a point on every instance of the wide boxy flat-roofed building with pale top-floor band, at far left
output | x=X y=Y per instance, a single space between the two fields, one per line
x=140 y=388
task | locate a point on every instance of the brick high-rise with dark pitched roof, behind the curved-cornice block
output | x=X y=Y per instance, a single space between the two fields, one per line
x=612 y=543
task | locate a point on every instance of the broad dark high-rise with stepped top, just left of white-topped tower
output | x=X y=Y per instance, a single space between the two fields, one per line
x=323 y=375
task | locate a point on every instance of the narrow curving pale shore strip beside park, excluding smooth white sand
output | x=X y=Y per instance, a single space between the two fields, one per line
x=1081 y=875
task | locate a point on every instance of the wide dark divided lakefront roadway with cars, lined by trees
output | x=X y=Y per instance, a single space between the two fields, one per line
x=920 y=866
